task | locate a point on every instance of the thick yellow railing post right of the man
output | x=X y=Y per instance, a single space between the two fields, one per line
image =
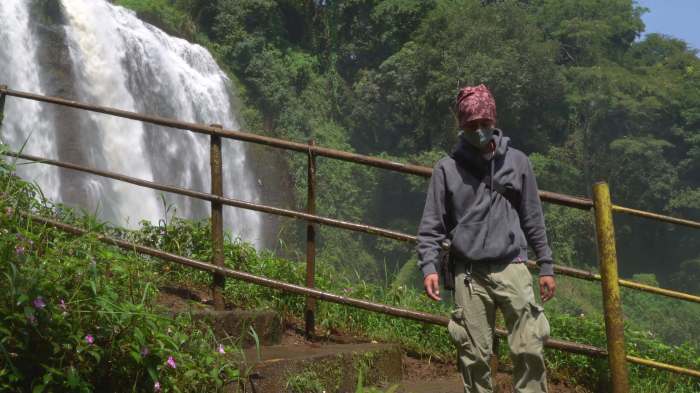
x=607 y=259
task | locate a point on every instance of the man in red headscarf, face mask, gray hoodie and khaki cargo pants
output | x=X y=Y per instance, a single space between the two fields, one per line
x=483 y=201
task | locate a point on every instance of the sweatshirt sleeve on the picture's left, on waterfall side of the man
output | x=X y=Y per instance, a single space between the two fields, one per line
x=432 y=230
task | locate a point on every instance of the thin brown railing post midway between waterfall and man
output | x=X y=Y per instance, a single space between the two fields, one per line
x=310 y=309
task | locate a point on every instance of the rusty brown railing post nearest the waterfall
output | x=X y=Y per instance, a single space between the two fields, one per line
x=217 y=220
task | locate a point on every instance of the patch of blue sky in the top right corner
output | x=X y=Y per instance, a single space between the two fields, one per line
x=677 y=18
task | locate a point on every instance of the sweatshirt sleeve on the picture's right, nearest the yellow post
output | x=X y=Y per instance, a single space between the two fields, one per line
x=532 y=221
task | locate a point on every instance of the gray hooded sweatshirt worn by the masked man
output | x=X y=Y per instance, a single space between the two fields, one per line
x=470 y=207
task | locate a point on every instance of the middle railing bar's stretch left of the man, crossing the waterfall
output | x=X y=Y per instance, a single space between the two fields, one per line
x=226 y=201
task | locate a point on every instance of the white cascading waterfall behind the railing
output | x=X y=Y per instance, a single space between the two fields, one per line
x=117 y=60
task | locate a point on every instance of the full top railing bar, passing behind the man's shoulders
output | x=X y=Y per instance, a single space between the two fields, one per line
x=548 y=196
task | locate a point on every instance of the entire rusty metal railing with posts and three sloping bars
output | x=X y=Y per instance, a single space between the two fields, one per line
x=601 y=205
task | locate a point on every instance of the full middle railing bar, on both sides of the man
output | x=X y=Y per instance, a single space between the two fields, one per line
x=564 y=270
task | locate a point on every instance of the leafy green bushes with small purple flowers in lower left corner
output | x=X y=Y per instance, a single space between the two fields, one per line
x=78 y=315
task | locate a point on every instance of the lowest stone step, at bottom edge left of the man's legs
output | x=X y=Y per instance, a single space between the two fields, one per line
x=330 y=368
